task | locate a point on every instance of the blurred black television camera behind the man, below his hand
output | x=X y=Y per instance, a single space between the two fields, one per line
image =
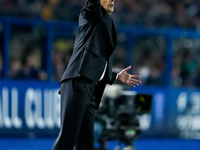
x=119 y=116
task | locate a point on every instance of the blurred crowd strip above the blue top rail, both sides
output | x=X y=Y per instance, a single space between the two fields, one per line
x=153 y=13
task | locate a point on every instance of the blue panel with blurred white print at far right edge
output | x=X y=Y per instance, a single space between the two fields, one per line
x=183 y=112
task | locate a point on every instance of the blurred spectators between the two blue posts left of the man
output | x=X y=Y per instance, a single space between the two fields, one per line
x=26 y=53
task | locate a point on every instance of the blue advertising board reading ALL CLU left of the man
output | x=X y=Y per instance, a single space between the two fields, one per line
x=29 y=108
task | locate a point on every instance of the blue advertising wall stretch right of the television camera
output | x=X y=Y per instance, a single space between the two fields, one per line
x=176 y=112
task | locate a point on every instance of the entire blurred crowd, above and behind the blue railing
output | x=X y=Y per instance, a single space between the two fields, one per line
x=149 y=60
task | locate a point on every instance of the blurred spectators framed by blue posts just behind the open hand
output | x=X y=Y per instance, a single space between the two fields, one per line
x=149 y=60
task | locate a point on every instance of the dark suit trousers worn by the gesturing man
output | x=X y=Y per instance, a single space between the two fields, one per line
x=77 y=115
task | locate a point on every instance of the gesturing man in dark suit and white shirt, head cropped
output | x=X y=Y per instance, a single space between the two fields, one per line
x=88 y=72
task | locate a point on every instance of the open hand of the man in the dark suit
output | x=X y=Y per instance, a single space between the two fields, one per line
x=131 y=80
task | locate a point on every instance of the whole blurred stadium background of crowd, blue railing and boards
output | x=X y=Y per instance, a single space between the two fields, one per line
x=159 y=38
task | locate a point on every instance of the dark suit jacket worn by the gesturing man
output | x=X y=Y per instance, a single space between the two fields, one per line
x=94 y=44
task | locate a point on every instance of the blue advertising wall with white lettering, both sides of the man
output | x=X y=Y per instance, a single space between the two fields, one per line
x=32 y=109
